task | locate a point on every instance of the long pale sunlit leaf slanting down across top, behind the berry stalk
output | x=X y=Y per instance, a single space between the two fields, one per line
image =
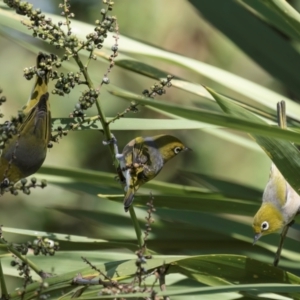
x=256 y=93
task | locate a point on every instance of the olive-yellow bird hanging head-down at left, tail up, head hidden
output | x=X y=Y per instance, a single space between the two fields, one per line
x=24 y=153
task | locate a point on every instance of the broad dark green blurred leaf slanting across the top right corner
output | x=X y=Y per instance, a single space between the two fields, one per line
x=255 y=38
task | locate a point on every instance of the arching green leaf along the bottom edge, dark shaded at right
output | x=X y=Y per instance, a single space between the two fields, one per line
x=230 y=270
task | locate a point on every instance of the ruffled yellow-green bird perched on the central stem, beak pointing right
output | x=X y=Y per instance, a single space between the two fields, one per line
x=143 y=158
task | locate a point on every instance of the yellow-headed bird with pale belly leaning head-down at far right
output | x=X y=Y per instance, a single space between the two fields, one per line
x=280 y=201
